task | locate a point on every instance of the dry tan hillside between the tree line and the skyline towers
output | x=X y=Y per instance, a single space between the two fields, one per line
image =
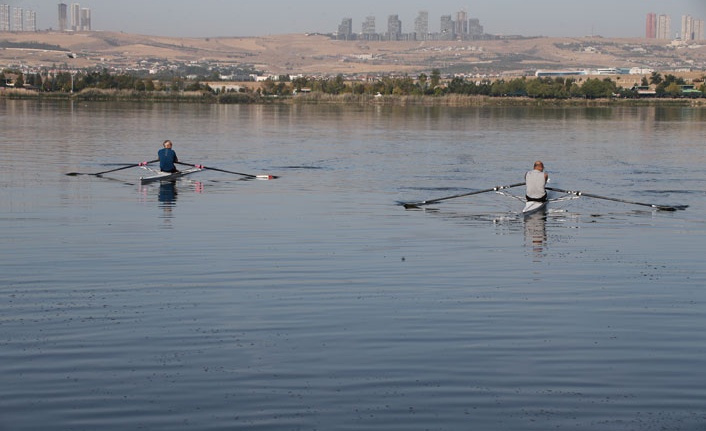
x=316 y=54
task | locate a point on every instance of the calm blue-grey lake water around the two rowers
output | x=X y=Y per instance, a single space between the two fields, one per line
x=316 y=302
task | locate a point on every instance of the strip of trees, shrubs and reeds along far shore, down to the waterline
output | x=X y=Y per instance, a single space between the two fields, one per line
x=422 y=90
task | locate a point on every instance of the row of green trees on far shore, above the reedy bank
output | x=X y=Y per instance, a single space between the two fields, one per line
x=423 y=85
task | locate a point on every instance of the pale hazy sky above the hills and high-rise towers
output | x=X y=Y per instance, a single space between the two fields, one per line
x=201 y=18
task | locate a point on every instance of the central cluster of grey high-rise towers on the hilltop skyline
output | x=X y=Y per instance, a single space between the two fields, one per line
x=460 y=28
